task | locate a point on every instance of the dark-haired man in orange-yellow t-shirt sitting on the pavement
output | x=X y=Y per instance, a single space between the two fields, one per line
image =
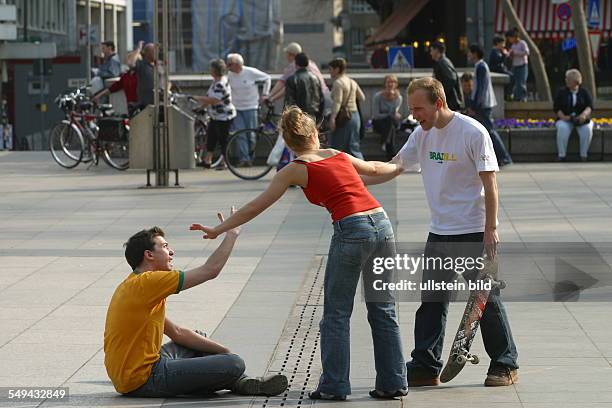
x=136 y=362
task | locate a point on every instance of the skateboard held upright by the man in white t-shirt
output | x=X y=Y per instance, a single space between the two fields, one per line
x=460 y=350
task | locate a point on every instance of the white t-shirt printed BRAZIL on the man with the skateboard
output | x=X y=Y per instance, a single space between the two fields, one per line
x=450 y=160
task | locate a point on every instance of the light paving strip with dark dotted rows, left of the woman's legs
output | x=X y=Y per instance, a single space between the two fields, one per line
x=297 y=354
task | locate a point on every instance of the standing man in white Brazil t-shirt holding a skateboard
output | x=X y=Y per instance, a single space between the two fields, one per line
x=458 y=164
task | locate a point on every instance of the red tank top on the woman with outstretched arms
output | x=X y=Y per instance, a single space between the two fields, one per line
x=333 y=183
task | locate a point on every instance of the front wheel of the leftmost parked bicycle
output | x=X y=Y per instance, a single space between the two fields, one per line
x=66 y=144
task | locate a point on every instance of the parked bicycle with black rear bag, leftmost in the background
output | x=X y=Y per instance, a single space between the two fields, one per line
x=89 y=132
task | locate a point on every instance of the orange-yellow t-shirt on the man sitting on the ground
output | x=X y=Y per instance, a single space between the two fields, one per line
x=135 y=326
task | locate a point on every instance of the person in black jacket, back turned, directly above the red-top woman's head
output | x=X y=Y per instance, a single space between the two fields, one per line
x=303 y=89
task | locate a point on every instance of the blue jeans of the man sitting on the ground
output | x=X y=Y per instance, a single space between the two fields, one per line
x=182 y=371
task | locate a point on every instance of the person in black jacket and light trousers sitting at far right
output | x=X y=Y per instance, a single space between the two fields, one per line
x=573 y=107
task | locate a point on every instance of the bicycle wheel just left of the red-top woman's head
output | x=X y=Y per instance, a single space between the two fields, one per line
x=247 y=153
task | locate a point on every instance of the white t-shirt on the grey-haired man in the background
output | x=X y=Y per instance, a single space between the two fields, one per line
x=245 y=92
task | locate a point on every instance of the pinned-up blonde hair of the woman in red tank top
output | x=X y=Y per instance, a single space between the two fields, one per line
x=297 y=129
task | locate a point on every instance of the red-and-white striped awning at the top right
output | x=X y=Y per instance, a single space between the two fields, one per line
x=539 y=17
